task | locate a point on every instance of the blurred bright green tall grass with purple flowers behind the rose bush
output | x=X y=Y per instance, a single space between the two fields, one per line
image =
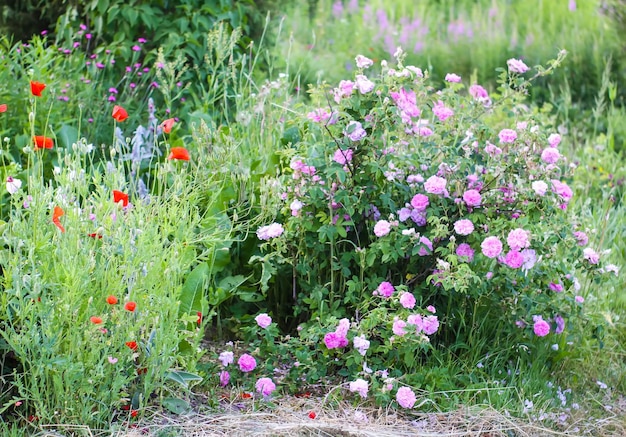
x=463 y=37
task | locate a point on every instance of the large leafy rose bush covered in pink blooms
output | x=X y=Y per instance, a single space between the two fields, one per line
x=413 y=217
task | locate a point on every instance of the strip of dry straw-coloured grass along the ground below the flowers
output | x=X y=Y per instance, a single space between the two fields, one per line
x=290 y=417
